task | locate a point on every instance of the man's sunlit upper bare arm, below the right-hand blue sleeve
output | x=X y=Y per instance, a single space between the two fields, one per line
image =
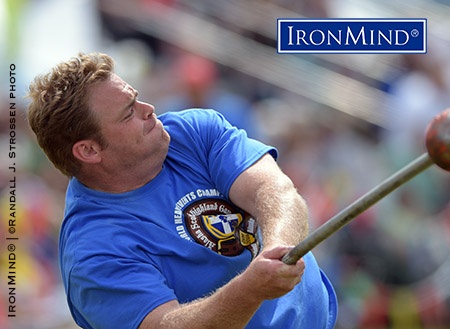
x=269 y=195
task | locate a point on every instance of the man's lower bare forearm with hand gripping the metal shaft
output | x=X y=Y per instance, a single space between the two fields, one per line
x=266 y=278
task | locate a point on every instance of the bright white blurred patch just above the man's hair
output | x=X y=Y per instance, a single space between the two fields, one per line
x=53 y=31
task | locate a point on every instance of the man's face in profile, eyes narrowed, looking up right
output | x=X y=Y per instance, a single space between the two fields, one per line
x=130 y=128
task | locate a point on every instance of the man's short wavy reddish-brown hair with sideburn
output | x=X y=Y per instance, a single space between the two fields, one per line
x=59 y=114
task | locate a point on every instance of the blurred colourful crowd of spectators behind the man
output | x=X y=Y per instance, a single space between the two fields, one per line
x=341 y=123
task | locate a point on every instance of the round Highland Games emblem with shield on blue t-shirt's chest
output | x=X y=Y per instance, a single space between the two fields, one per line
x=217 y=225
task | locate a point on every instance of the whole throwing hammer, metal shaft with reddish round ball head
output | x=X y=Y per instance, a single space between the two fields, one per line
x=438 y=147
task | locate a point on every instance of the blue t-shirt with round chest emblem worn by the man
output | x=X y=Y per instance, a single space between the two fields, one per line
x=177 y=237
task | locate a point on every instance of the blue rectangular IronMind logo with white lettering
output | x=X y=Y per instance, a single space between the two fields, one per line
x=352 y=36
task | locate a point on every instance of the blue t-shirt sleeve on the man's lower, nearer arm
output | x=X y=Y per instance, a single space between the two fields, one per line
x=116 y=292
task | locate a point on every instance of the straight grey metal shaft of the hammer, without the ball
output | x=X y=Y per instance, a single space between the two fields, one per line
x=360 y=205
